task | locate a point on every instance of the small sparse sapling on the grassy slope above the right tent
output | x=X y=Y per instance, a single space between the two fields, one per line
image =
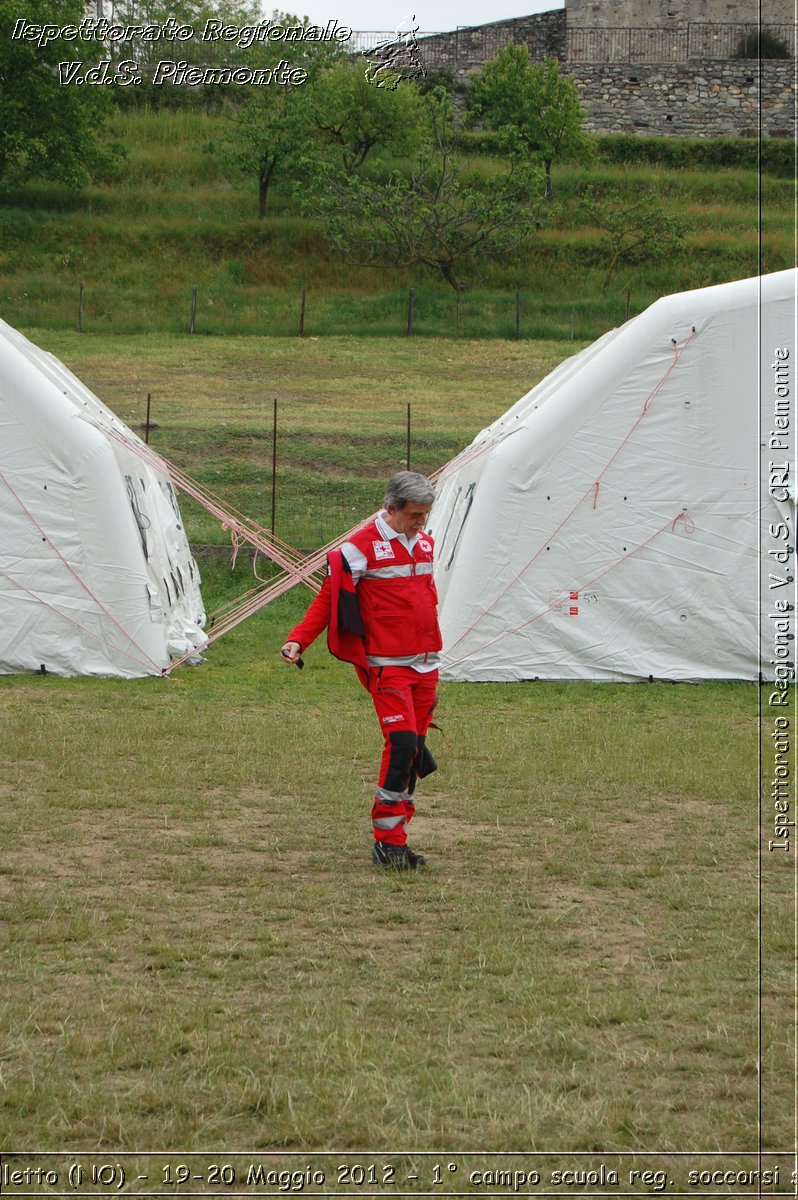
x=634 y=229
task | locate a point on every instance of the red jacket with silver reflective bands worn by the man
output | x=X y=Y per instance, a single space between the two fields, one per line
x=392 y=611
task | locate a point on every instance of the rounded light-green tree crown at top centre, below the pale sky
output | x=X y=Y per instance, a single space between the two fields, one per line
x=357 y=117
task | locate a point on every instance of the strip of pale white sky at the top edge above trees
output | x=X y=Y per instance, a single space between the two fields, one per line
x=433 y=16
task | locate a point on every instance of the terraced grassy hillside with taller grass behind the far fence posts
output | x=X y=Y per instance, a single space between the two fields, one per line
x=175 y=218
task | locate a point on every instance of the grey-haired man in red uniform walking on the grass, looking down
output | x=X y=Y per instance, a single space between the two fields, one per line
x=379 y=604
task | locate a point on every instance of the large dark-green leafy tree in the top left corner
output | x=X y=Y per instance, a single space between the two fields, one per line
x=47 y=128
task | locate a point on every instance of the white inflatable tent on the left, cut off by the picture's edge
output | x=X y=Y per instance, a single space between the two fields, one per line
x=97 y=575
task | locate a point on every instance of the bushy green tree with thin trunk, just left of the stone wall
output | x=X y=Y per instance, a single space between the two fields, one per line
x=536 y=109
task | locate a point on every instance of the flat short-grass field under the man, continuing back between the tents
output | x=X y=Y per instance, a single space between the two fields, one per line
x=197 y=955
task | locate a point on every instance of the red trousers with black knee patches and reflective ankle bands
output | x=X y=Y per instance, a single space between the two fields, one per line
x=405 y=701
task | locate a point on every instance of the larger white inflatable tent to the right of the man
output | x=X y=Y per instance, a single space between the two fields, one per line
x=610 y=526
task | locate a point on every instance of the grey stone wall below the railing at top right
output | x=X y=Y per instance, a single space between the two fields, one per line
x=704 y=99
